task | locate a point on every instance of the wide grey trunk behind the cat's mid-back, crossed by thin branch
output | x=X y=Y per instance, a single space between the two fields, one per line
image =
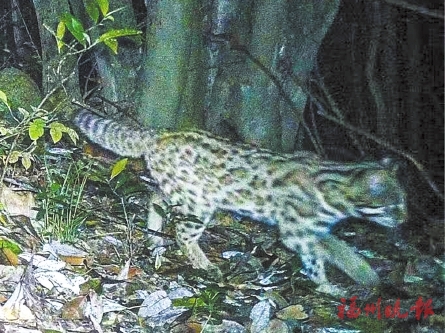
x=259 y=89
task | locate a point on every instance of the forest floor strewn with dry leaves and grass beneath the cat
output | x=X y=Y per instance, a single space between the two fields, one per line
x=89 y=267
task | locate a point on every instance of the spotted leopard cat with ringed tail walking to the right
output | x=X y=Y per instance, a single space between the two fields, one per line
x=302 y=194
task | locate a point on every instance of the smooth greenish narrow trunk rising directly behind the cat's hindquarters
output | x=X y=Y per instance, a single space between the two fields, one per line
x=171 y=90
